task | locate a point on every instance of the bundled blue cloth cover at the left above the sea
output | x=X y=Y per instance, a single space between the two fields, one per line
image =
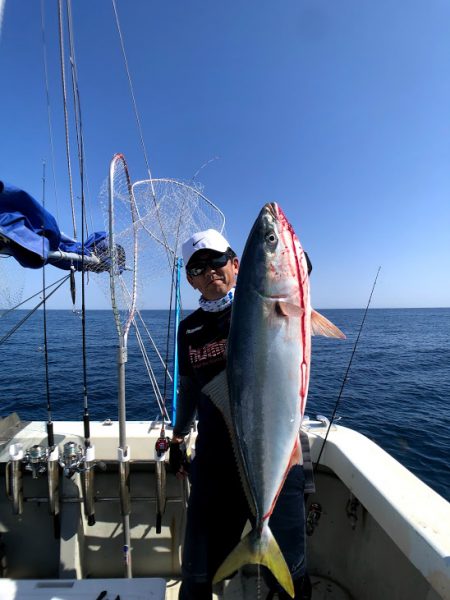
x=30 y=232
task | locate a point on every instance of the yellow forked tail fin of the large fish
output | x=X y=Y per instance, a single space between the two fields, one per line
x=256 y=549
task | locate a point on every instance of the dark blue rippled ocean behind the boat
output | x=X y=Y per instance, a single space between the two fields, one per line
x=397 y=393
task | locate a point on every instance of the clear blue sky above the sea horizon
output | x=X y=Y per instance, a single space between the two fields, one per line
x=337 y=110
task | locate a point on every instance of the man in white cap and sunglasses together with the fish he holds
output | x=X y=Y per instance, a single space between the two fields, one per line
x=244 y=359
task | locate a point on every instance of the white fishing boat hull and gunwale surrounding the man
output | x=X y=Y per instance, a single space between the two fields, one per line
x=382 y=533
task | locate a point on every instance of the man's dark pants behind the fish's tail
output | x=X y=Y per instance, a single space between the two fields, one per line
x=216 y=516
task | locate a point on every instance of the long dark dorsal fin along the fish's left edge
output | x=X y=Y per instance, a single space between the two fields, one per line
x=218 y=392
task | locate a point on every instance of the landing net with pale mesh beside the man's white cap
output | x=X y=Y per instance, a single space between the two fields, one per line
x=148 y=221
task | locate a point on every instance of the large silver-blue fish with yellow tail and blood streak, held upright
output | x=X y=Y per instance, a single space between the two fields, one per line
x=262 y=394
